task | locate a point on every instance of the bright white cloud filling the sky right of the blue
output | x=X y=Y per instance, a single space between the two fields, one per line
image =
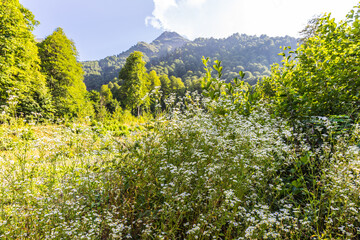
x=221 y=18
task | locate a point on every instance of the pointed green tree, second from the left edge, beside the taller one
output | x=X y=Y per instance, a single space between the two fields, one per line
x=64 y=75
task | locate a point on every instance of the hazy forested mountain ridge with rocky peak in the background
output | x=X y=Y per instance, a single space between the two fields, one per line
x=174 y=55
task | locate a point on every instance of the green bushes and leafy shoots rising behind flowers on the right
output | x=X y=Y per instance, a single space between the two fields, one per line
x=317 y=80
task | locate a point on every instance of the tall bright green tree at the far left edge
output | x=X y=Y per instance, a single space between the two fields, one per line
x=20 y=75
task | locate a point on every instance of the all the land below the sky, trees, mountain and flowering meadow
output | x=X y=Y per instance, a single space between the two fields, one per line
x=181 y=139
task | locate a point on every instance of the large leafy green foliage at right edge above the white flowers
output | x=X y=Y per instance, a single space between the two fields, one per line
x=321 y=77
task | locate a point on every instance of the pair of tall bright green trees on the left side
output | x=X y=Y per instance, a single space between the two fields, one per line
x=38 y=79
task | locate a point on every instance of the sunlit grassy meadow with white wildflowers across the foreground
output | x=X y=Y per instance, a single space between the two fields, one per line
x=190 y=174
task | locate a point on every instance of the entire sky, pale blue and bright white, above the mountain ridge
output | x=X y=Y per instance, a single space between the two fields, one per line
x=102 y=28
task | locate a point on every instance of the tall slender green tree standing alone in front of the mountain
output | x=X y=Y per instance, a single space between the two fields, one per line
x=133 y=89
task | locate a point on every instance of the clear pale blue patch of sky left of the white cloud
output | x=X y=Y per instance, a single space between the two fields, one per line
x=99 y=28
